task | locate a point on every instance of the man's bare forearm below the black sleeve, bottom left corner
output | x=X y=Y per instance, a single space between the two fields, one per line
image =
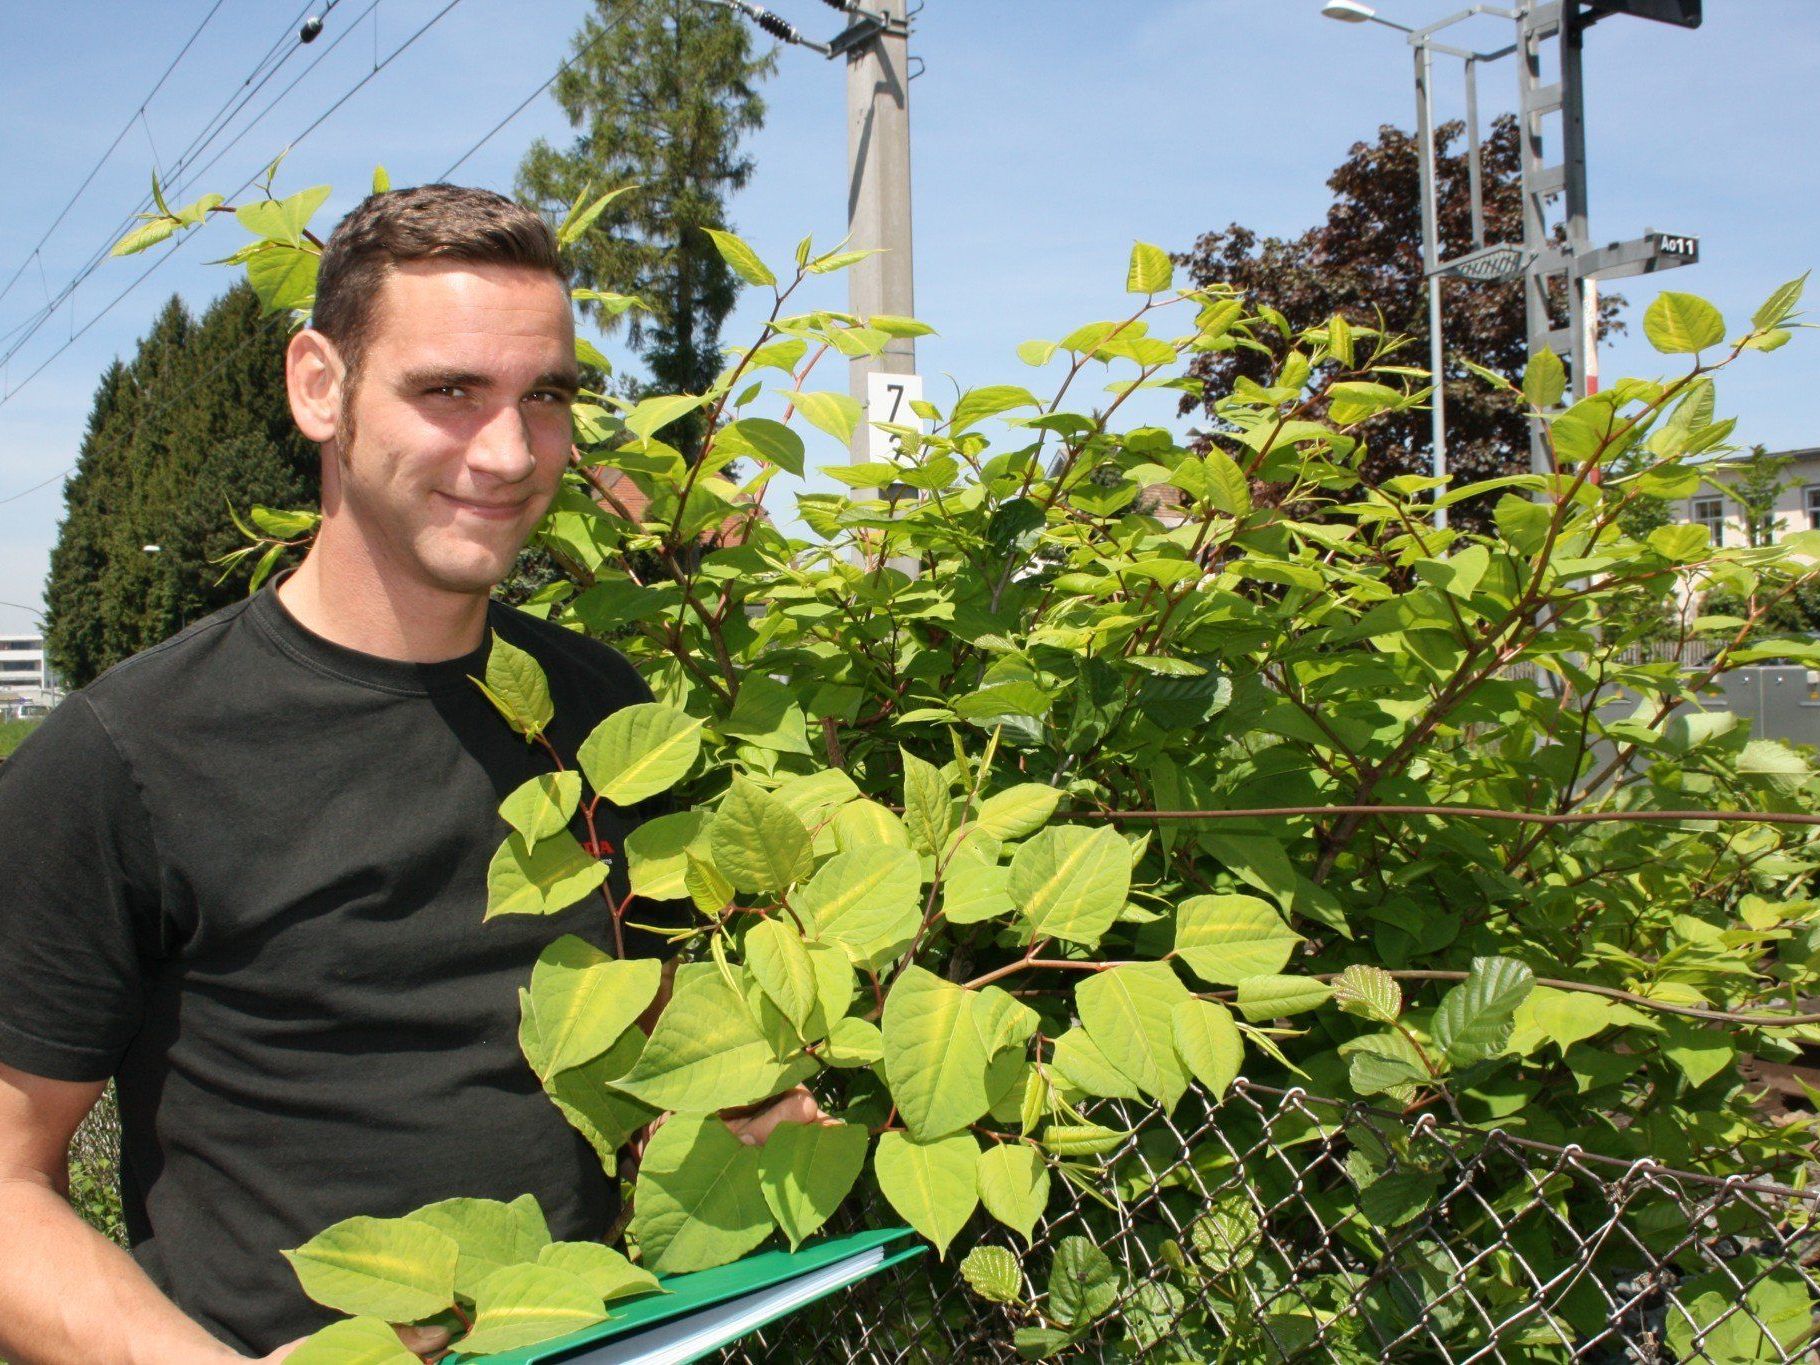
x=68 y=1295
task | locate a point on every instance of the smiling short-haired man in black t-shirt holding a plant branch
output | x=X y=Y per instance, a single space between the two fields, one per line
x=247 y=871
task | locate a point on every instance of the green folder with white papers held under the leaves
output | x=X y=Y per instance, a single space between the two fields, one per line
x=707 y=1309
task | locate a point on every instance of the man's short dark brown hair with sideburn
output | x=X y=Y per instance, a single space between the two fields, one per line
x=429 y=223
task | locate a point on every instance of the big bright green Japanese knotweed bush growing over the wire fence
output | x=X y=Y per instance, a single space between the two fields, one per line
x=1058 y=767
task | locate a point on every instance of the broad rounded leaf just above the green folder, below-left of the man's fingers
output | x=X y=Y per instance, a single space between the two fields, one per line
x=698 y=1198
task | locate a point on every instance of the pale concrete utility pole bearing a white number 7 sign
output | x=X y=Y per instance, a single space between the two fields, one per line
x=878 y=205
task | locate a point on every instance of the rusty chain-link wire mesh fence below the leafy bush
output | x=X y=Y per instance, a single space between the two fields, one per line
x=1286 y=1228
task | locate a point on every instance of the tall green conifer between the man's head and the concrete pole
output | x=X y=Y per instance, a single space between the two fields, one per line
x=662 y=96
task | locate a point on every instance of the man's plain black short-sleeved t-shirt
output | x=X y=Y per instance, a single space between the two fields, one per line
x=245 y=875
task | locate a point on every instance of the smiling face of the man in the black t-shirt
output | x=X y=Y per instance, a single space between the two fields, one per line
x=460 y=421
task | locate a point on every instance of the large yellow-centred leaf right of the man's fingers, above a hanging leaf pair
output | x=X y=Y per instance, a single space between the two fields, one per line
x=938 y=1051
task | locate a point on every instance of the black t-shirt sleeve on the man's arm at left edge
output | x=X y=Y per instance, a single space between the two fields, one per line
x=79 y=885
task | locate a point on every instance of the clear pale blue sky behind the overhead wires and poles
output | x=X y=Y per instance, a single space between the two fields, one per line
x=1047 y=136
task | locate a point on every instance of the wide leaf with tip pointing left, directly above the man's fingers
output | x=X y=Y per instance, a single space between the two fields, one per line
x=707 y=1053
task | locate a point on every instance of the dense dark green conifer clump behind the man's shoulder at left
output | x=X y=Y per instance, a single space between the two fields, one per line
x=197 y=423
